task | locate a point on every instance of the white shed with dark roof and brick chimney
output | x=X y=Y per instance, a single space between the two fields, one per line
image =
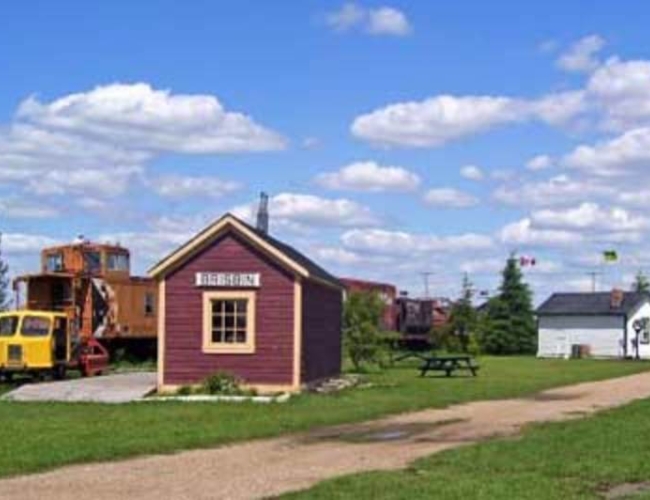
x=613 y=324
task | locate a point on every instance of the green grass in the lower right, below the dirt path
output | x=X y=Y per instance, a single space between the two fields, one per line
x=570 y=460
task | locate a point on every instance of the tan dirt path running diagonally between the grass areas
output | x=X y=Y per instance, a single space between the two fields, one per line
x=269 y=467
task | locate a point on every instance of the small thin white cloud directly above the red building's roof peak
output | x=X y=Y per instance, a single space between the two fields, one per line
x=179 y=186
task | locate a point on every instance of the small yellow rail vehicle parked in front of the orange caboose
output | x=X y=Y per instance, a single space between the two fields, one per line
x=43 y=342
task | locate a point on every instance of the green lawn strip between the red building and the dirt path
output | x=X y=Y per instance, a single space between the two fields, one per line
x=37 y=436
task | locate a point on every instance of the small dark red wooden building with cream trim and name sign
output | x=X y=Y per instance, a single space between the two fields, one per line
x=235 y=299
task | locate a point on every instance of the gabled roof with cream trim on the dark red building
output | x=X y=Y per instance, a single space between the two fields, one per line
x=286 y=255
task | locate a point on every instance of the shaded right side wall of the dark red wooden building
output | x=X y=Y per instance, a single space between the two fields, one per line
x=321 y=340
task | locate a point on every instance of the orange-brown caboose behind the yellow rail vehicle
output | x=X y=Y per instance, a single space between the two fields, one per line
x=92 y=283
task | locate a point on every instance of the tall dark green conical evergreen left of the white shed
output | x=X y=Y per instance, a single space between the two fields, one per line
x=510 y=323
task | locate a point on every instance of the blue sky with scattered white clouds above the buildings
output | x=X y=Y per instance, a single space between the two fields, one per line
x=393 y=137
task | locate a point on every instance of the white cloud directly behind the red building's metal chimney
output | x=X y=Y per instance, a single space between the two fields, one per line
x=302 y=212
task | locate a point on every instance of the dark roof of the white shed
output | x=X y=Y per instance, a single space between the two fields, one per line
x=590 y=304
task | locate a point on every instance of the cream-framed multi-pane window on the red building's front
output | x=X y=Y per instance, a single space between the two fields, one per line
x=229 y=322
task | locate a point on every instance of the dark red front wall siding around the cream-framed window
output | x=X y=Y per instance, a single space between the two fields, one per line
x=272 y=362
